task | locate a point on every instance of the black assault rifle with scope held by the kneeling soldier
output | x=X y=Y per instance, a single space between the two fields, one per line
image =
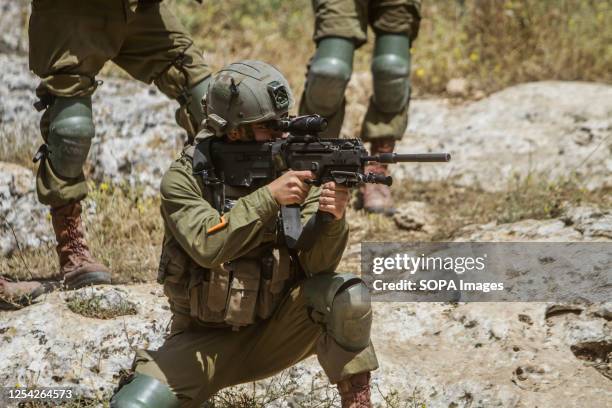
x=254 y=164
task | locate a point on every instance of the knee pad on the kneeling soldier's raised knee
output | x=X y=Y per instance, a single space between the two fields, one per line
x=342 y=304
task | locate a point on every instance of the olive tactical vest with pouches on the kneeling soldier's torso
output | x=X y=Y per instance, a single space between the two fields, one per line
x=236 y=293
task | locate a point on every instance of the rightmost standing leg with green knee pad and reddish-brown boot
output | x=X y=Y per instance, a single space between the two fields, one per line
x=396 y=25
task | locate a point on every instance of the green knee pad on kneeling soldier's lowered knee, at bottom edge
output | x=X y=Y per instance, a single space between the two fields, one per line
x=144 y=391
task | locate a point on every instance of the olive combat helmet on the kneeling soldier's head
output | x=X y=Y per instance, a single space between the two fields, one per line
x=246 y=92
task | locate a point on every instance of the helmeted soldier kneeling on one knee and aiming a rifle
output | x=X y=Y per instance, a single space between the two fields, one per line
x=246 y=306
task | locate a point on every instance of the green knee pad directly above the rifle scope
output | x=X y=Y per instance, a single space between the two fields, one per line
x=328 y=75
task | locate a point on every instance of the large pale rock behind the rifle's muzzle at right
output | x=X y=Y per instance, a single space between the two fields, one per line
x=534 y=127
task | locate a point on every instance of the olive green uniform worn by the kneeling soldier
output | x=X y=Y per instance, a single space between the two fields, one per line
x=212 y=345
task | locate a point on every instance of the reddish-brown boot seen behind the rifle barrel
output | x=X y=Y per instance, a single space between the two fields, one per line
x=376 y=198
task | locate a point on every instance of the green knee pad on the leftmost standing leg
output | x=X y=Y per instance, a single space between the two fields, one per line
x=71 y=129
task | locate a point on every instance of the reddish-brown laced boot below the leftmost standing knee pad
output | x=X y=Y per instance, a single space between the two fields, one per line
x=77 y=266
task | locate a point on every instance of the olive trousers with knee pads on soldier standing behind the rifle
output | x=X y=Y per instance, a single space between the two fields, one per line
x=387 y=114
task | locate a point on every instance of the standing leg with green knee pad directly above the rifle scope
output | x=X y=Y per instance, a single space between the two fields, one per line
x=340 y=28
